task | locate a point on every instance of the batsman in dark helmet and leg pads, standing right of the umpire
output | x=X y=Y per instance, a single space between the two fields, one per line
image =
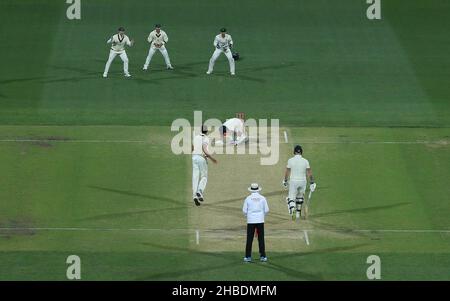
x=297 y=170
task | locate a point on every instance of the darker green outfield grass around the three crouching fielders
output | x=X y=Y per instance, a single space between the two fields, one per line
x=305 y=62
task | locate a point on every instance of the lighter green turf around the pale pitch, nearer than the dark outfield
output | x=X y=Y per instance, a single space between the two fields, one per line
x=109 y=195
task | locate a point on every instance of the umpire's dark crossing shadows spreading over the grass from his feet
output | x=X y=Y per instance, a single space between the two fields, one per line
x=231 y=261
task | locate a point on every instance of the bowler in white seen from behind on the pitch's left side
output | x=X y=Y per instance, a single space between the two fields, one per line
x=200 y=154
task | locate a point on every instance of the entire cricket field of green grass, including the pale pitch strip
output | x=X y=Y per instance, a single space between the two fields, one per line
x=87 y=169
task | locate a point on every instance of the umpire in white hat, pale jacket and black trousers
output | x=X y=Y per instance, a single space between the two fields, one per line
x=255 y=208
